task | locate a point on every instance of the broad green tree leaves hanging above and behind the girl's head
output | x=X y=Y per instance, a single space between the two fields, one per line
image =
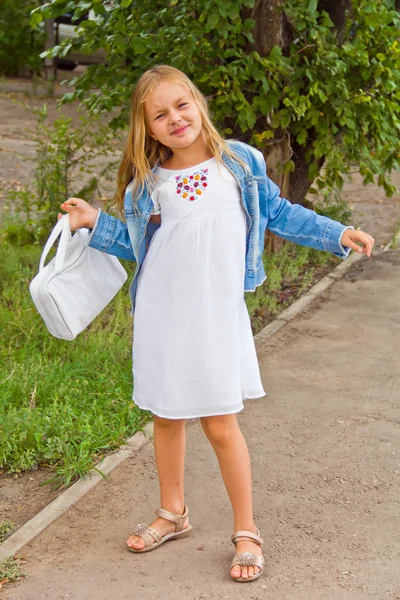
x=341 y=101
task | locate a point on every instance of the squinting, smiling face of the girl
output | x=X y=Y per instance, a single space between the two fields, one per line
x=173 y=117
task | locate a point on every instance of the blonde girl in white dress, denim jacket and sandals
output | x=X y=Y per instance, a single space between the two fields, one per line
x=196 y=208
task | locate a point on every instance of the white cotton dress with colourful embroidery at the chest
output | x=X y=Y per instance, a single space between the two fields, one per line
x=193 y=348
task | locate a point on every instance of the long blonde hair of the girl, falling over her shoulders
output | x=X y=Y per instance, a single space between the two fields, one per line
x=142 y=152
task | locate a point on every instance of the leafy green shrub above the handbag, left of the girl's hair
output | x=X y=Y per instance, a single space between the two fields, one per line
x=63 y=154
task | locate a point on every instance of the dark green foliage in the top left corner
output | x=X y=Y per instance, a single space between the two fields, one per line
x=20 y=45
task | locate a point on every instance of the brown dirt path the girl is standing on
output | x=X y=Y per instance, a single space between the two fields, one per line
x=325 y=454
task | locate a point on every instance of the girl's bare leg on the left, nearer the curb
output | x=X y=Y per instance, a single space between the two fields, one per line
x=169 y=448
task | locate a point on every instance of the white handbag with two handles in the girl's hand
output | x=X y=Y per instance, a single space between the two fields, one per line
x=75 y=286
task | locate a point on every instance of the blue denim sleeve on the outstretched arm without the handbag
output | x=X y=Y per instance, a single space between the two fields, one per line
x=299 y=224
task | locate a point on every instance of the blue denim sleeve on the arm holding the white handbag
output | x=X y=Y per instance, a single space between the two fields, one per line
x=110 y=235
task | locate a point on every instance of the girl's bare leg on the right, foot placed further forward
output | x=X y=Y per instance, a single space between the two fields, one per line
x=225 y=436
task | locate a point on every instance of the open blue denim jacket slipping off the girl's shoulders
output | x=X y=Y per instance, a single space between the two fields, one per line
x=264 y=209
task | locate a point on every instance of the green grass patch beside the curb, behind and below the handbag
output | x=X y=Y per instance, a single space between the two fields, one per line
x=63 y=404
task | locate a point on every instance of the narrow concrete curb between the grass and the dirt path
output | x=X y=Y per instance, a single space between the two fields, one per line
x=67 y=499
